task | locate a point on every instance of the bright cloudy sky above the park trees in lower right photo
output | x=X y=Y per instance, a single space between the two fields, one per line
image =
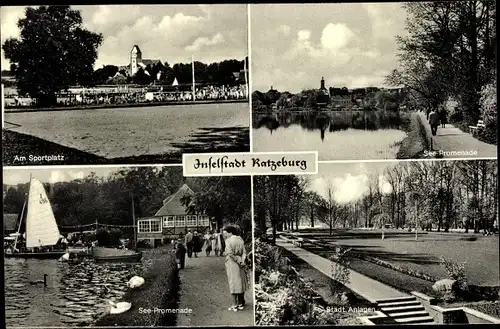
x=349 y=180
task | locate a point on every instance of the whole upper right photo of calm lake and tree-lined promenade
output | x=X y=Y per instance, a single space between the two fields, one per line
x=363 y=81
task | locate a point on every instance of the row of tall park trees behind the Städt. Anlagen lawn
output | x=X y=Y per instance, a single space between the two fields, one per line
x=429 y=195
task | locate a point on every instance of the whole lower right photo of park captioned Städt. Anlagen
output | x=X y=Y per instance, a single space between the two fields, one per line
x=374 y=243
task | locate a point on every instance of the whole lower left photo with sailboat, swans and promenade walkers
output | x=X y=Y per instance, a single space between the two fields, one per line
x=126 y=246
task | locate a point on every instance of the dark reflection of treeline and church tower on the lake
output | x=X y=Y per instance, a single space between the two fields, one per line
x=330 y=121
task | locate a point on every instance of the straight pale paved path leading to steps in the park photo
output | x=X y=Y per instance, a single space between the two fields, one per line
x=367 y=288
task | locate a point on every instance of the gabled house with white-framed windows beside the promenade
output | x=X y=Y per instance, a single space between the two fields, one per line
x=171 y=220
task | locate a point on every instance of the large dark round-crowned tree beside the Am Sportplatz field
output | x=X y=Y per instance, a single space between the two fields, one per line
x=53 y=52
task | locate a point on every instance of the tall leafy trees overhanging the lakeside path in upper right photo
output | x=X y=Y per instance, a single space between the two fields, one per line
x=449 y=51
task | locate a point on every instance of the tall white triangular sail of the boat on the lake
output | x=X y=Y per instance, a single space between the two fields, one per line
x=41 y=226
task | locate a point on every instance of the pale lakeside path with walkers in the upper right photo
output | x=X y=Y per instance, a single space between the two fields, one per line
x=453 y=139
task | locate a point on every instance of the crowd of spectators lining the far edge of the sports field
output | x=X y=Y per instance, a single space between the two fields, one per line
x=96 y=97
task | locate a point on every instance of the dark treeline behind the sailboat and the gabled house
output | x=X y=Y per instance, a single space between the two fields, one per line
x=109 y=200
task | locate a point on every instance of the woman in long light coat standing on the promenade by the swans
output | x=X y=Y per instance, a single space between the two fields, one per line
x=236 y=267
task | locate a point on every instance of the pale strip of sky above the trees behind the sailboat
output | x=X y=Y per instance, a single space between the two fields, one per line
x=53 y=175
